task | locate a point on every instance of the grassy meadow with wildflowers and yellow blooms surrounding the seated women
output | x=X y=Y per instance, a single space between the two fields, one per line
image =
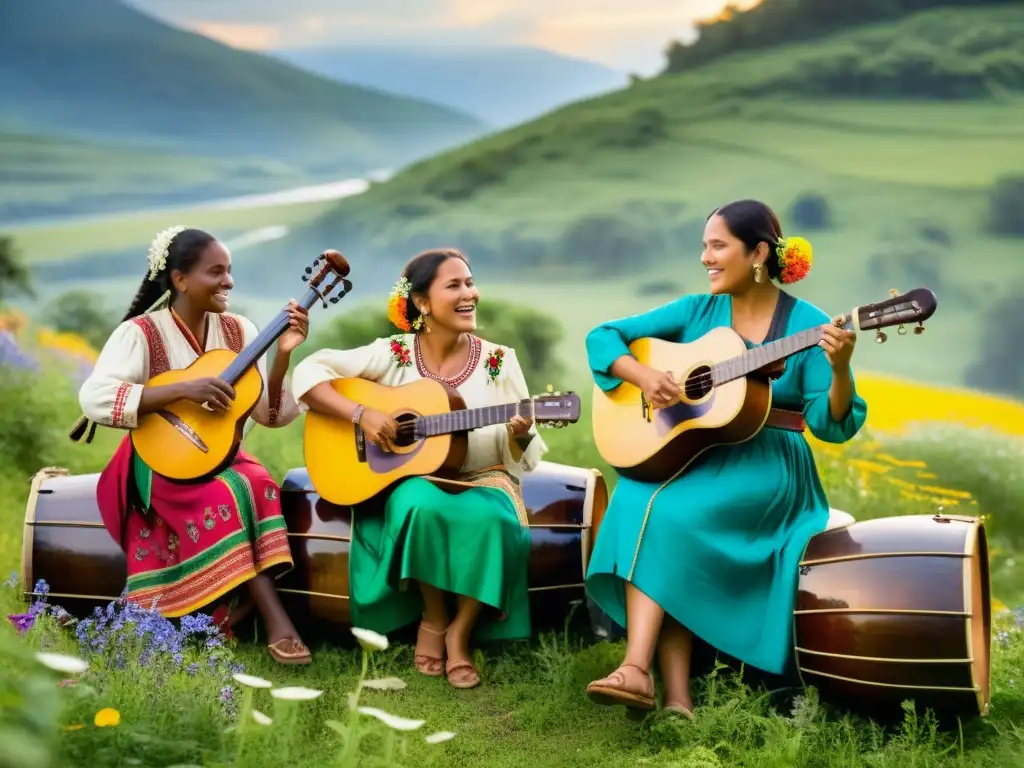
x=531 y=710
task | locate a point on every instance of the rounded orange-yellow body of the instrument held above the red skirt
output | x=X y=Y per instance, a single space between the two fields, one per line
x=167 y=448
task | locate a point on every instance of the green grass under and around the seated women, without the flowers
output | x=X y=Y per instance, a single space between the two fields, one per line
x=531 y=710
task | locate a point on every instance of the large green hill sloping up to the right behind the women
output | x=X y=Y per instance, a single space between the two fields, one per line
x=598 y=209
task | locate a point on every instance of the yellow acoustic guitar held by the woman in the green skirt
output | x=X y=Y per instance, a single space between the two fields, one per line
x=434 y=425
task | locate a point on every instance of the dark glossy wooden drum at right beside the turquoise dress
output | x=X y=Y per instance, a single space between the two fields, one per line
x=898 y=609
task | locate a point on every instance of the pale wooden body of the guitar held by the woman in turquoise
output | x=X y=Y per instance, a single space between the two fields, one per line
x=658 y=449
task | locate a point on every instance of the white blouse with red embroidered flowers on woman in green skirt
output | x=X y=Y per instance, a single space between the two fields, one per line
x=397 y=361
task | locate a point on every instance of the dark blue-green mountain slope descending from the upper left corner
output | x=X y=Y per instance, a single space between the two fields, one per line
x=101 y=70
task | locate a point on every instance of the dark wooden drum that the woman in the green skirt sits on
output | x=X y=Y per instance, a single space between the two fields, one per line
x=565 y=503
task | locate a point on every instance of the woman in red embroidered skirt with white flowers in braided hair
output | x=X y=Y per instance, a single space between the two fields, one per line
x=190 y=545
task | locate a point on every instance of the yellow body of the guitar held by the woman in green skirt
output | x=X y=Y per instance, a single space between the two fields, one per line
x=347 y=470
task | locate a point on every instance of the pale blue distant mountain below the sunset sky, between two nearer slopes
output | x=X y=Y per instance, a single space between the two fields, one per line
x=503 y=86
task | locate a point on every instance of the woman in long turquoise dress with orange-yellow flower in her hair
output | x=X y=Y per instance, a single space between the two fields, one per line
x=717 y=554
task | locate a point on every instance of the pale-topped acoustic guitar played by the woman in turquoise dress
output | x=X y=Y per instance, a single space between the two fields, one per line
x=727 y=396
